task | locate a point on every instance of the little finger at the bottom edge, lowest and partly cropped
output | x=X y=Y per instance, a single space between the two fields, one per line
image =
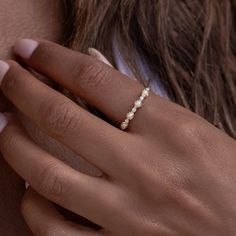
x=43 y=218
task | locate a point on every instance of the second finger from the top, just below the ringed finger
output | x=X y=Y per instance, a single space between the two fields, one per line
x=60 y=118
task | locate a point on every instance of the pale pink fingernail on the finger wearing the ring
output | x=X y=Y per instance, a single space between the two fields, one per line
x=25 y=47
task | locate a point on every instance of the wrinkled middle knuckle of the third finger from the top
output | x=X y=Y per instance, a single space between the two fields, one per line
x=51 y=182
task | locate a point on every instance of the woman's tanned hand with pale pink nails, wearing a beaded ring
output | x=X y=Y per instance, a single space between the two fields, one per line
x=171 y=173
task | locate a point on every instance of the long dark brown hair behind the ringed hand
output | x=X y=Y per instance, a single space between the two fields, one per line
x=190 y=44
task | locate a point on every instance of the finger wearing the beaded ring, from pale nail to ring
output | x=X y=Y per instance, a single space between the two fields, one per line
x=110 y=91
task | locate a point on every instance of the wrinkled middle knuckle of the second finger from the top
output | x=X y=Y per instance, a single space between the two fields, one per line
x=59 y=118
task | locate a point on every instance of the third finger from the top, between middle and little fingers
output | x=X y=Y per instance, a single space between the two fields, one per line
x=90 y=197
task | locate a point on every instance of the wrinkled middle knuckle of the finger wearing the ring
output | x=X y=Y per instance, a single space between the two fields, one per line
x=92 y=74
